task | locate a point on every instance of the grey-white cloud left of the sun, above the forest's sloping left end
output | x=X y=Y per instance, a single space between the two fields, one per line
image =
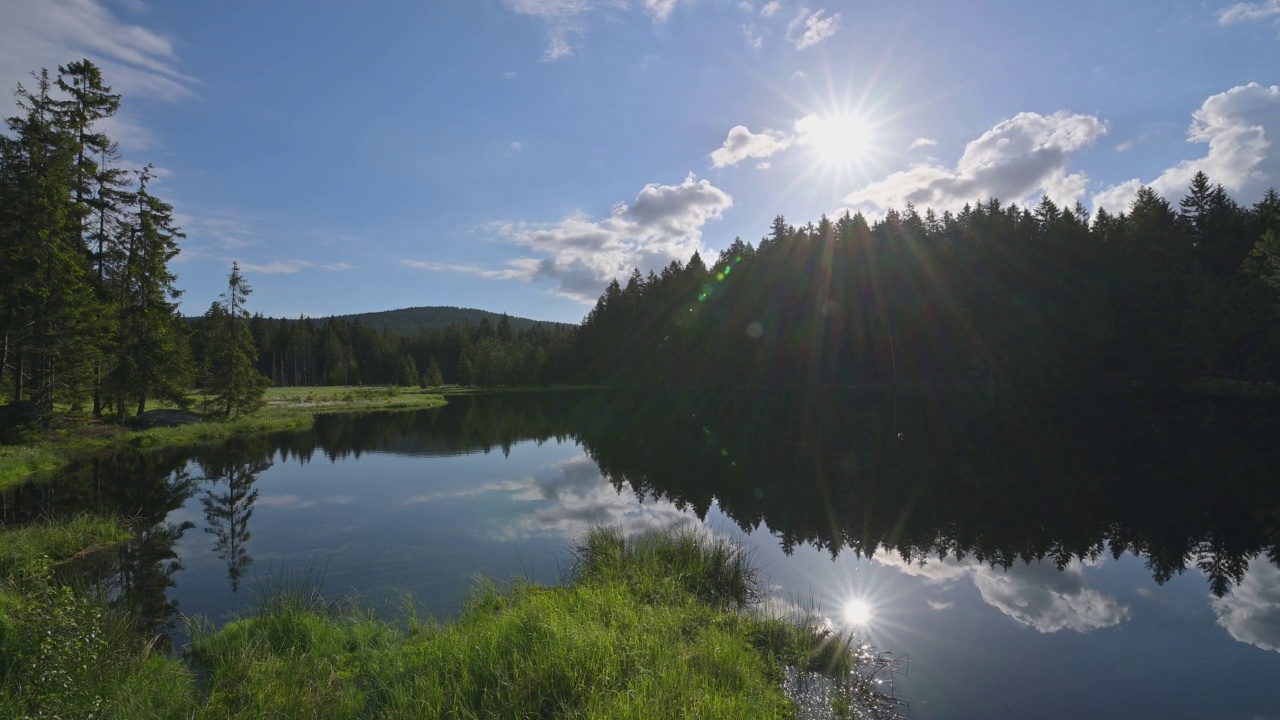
x=580 y=256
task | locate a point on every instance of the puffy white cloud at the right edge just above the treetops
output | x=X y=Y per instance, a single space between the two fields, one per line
x=1240 y=127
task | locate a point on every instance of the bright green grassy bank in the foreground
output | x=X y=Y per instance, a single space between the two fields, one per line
x=650 y=627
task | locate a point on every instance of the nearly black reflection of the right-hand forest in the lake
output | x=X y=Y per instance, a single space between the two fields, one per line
x=1182 y=482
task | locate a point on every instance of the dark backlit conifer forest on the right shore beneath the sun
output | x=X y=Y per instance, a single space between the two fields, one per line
x=995 y=293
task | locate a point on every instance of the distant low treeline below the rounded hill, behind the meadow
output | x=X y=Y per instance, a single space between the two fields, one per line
x=340 y=352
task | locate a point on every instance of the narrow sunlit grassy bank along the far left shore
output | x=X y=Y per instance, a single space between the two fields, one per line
x=287 y=409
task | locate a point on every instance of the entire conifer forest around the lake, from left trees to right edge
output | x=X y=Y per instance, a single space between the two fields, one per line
x=1162 y=294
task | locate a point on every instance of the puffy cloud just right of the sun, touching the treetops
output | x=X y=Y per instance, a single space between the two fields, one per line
x=1017 y=161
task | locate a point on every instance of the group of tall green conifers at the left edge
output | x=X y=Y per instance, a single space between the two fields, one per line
x=88 y=298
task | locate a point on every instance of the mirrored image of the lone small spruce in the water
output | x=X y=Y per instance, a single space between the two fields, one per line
x=228 y=502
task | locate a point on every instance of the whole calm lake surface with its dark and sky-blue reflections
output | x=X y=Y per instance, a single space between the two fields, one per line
x=1035 y=559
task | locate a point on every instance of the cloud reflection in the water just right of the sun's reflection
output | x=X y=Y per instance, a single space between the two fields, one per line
x=1040 y=596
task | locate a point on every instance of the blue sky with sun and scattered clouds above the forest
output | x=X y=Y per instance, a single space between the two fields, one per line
x=515 y=156
